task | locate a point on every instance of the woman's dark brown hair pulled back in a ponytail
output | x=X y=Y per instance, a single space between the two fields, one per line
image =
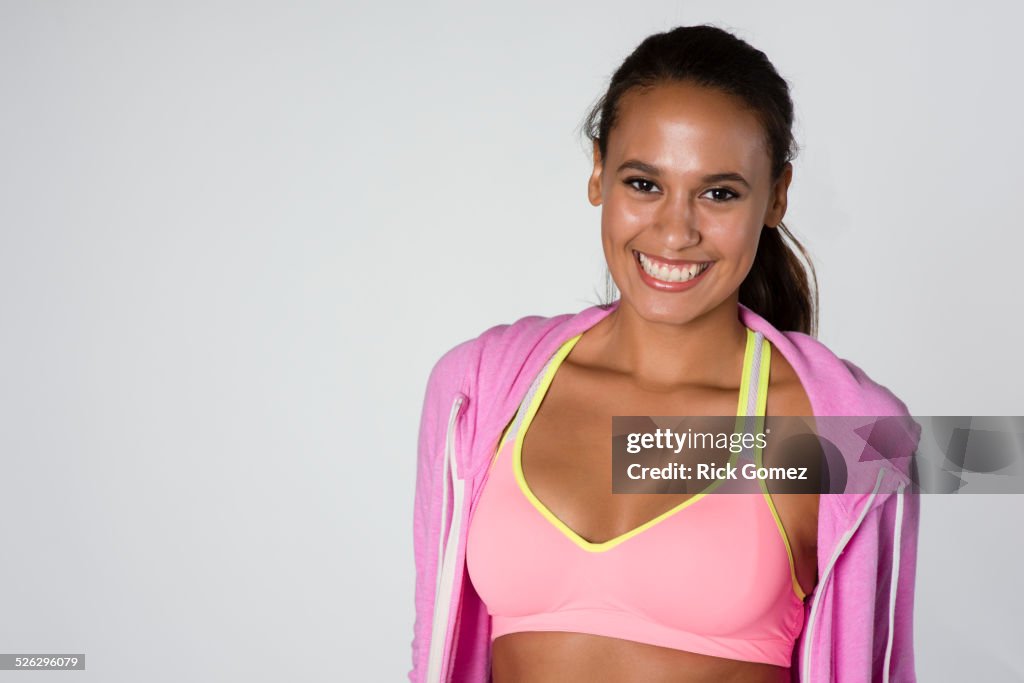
x=780 y=287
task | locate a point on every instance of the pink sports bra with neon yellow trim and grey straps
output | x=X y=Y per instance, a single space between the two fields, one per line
x=713 y=576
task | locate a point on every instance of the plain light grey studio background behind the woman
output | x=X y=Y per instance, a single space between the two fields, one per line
x=236 y=237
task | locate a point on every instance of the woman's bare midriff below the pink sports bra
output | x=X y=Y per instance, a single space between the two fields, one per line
x=569 y=658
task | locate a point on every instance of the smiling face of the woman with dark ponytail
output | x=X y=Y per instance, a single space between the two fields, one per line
x=687 y=190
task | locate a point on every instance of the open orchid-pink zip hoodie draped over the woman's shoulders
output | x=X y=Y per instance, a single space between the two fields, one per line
x=859 y=622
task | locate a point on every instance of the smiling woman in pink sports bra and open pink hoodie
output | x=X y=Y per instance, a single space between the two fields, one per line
x=529 y=568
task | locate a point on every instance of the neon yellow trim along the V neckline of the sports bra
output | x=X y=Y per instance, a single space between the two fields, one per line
x=535 y=405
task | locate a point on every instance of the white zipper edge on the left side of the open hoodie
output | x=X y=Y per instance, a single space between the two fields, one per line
x=448 y=546
